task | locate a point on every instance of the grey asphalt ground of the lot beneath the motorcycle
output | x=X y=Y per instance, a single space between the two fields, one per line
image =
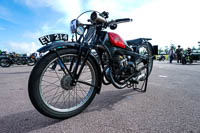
x=171 y=104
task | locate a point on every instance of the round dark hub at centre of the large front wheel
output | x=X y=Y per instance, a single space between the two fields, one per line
x=66 y=82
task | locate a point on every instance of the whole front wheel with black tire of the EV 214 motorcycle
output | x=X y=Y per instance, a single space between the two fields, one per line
x=51 y=91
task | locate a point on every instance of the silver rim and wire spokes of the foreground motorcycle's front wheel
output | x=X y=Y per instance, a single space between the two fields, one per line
x=60 y=99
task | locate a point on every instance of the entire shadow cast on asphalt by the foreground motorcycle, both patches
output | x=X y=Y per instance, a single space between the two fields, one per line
x=24 y=122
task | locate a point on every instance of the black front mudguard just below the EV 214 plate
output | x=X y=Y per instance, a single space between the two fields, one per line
x=57 y=45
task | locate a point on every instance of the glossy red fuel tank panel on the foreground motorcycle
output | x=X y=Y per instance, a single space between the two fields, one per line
x=117 y=41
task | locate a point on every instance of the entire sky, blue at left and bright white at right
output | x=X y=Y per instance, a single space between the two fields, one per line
x=171 y=21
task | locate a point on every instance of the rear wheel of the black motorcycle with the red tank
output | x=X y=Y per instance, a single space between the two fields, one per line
x=144 y=66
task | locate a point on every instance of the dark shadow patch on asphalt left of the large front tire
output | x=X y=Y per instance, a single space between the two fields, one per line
x=24 y=122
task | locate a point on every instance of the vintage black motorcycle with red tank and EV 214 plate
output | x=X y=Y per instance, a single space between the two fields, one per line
x=66 y=79
